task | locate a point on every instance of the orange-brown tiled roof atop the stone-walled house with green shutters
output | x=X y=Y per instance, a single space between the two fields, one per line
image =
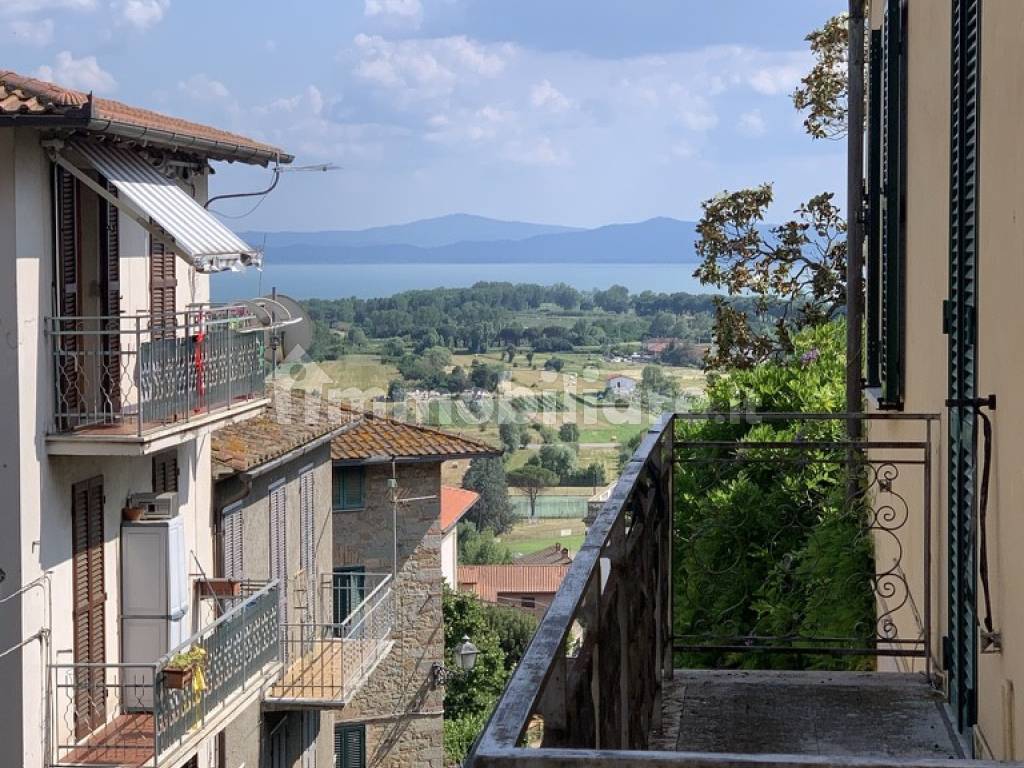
x=378 y=438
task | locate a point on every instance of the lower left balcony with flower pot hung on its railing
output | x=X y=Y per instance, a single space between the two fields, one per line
x=133 y=715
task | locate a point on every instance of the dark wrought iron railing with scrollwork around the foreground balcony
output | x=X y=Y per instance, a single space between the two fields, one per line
x=589 y=689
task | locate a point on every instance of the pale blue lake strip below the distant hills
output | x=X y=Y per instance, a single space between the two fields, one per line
x=371 y=281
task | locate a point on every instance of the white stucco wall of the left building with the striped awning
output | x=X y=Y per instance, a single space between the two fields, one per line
x=37 y=487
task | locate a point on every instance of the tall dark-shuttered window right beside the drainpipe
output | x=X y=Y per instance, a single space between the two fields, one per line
x=887 y=150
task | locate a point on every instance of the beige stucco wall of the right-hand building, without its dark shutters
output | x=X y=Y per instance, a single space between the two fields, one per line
x=999 y=681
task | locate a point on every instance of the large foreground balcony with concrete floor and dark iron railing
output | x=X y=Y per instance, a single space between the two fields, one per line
x=666 y=645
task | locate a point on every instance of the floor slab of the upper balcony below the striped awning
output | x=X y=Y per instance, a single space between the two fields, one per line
x=115 y=441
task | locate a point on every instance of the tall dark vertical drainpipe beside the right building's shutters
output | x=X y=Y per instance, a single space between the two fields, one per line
x=856 y=220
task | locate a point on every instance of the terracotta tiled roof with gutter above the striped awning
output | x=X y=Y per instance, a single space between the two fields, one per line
x=25 y=97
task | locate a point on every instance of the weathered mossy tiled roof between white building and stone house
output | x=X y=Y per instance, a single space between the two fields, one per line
x=292 y=420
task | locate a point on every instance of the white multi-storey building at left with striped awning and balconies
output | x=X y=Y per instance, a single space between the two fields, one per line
x=117 y=371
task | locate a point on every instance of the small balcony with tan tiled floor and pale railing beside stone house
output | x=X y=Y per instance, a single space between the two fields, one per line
x=326 y=663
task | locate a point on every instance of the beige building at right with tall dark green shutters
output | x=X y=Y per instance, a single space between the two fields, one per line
x=946 y=184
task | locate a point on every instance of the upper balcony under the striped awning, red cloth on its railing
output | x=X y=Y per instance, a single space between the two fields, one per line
x=122 y=383
